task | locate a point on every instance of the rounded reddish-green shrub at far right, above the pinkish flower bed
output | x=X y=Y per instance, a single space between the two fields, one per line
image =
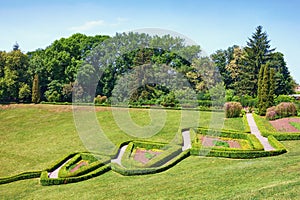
x=284 y=109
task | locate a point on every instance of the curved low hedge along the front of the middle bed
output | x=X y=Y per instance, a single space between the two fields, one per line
x=140 y=171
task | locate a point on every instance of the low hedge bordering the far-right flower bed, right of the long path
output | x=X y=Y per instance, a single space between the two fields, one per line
x=267 y=129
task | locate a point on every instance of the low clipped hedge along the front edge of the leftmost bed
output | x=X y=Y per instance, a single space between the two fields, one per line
x=45 y=180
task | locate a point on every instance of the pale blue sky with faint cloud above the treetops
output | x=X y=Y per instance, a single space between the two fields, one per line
x=213 y=24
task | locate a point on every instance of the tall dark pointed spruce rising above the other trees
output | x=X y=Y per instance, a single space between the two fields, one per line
x=258 y=52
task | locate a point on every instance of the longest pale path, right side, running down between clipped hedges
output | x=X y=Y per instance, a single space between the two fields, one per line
x=254 y=130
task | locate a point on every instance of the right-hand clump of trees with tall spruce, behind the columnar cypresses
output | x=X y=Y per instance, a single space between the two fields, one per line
x=240 y=66
